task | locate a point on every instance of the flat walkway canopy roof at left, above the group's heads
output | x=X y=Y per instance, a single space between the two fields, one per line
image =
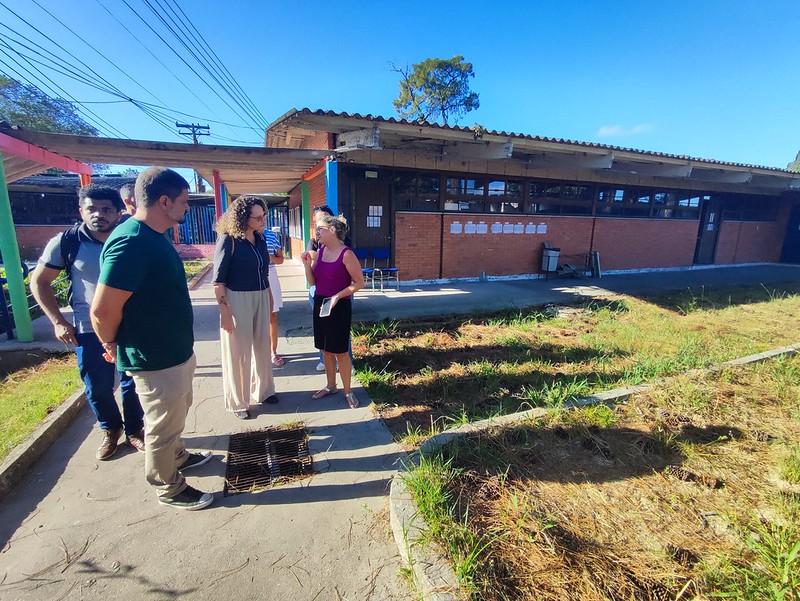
x=242 y=169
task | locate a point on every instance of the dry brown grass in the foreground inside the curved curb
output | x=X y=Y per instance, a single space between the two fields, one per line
x=681 y=493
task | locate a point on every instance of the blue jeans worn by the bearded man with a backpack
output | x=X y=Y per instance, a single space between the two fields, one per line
x=98 y=378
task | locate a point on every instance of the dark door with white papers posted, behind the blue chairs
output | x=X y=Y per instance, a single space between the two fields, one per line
x=371 y=222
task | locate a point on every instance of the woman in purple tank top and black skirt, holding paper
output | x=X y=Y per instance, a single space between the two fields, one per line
x=337 y=275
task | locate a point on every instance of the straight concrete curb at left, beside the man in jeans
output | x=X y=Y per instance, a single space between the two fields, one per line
x=22 y=457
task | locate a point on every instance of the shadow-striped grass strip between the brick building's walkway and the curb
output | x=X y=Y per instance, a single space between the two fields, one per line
x=472 y=367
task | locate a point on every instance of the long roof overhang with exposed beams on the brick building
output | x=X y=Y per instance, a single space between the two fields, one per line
x=380 y=141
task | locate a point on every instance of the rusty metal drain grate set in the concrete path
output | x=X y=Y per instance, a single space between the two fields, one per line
x=257 y=459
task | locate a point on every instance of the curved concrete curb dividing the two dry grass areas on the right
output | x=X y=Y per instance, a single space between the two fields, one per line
x=433 y=575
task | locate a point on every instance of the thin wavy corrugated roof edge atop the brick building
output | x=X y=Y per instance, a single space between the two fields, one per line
x=645 y=153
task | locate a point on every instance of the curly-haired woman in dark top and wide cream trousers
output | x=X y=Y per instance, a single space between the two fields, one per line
x=241 y=283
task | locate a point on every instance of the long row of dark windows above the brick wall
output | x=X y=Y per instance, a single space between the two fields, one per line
x=423 y=192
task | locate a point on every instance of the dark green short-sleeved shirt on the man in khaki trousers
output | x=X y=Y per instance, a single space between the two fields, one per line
x=156 y=329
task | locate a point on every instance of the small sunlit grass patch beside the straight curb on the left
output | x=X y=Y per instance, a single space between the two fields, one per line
x=28 y=395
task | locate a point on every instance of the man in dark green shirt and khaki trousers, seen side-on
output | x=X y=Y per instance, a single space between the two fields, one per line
x=143 y=316
